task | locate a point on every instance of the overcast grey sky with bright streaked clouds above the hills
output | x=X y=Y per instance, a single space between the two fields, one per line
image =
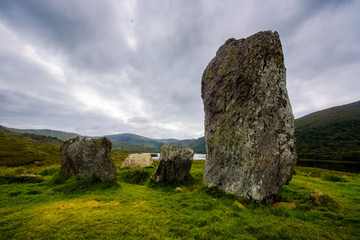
x=106 y=67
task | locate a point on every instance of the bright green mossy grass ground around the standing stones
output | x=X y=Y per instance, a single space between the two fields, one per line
x=68 y=208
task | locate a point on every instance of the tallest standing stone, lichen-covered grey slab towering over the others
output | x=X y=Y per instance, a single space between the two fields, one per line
x=249 y=124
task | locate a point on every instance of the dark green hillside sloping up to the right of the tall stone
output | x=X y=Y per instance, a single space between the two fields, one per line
x=330 y=134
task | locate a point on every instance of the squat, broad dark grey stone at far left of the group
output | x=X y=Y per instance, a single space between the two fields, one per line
x=88 y=157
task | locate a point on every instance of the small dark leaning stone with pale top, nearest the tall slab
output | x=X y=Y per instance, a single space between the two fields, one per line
x=174 y=163
